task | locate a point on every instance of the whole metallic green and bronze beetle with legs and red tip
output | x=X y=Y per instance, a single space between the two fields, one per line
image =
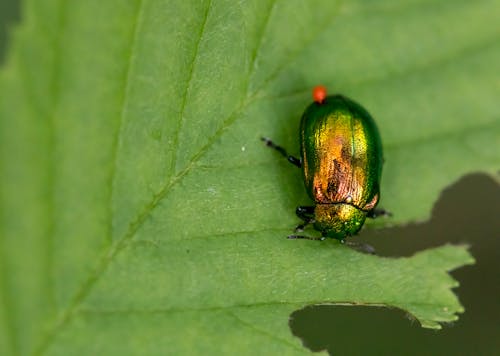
x=341 y=161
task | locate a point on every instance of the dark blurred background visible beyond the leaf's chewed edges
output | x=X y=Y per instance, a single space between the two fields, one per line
x=467 y=212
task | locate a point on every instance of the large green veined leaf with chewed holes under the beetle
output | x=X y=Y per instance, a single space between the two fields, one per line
x=140 y=213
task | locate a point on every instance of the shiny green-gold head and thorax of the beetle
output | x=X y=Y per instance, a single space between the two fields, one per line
x=338 y=220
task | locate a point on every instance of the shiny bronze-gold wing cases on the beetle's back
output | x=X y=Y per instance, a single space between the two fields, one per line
x=336 y=170
